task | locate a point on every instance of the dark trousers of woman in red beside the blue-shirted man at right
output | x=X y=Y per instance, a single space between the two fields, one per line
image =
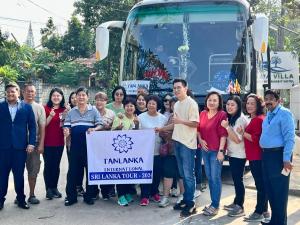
x=261 y=199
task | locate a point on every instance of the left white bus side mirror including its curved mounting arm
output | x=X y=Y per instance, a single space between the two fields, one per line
x=102 y=37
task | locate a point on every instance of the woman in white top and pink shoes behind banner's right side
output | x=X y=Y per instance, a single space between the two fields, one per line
x=150 y=120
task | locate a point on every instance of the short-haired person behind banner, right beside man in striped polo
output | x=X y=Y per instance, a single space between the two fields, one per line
x=107 y=116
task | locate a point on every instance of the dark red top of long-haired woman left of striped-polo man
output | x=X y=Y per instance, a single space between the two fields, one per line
x=54 y=133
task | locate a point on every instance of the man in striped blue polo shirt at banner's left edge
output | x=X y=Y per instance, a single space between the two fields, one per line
x=81 y=119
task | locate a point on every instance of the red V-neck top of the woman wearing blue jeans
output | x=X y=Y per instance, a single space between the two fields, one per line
x=211 y=130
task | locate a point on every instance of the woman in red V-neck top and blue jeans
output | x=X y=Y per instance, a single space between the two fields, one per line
x=212 y=138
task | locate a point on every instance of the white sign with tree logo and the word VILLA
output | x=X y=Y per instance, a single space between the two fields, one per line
x=284 y=70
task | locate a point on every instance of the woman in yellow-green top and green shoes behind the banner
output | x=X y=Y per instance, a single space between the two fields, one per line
x=128 y=121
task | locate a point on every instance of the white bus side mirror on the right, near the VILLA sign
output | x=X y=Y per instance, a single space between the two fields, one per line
x=260 y=29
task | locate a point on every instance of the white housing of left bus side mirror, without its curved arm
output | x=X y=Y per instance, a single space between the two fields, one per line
x=102 y=42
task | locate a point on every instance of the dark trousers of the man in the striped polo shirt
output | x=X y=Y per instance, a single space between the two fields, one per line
x=78 y=160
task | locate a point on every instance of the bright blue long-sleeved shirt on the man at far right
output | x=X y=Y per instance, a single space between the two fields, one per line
x=278 y=130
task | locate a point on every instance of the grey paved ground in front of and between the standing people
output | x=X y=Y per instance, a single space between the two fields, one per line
x=106 y=213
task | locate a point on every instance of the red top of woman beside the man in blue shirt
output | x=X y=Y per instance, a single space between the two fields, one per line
x=254 y=128
